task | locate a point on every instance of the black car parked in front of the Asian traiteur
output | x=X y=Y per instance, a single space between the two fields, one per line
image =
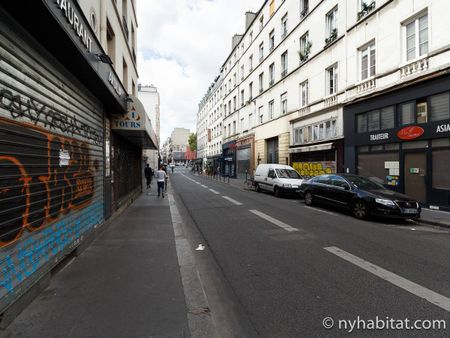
x=361 y=195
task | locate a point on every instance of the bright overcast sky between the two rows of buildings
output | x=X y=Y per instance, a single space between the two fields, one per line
x=181 y=46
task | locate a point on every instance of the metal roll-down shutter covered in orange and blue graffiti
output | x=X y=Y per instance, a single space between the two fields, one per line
x=51 y=163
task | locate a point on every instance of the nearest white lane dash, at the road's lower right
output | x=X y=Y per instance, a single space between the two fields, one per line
x=416 y=289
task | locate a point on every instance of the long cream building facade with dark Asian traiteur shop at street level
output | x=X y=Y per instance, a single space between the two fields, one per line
x=331 y=86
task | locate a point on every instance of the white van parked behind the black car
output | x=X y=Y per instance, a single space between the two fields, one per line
x=278 y=178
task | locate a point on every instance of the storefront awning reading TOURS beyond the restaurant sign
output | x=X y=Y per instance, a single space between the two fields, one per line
x=136 y=126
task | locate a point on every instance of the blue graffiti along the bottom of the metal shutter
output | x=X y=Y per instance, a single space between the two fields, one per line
x=38 y=249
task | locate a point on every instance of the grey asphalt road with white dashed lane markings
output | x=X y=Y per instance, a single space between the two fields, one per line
x=286 y=268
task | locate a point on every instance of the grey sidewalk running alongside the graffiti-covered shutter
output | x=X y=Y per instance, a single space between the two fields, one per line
x=126 y=284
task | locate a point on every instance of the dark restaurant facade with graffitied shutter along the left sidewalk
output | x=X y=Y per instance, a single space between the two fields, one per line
x=62 y=106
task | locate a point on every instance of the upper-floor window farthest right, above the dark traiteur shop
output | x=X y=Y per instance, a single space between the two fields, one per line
x=416 y=36
